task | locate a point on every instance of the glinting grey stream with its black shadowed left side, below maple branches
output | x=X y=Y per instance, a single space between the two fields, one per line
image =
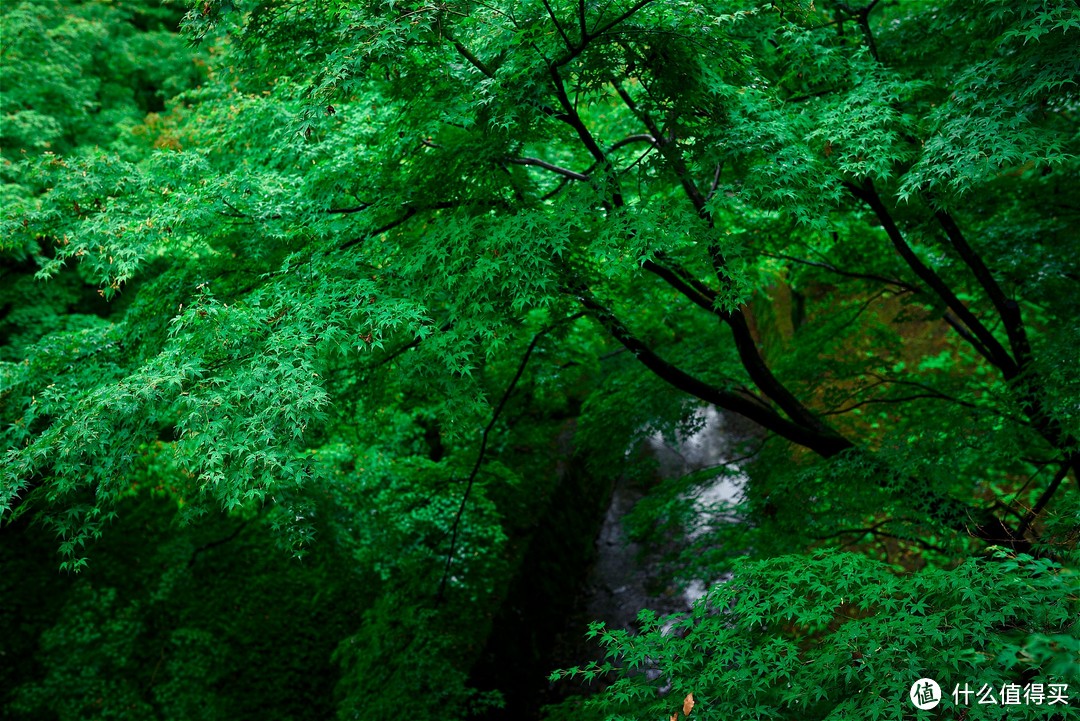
x=582 y=566
